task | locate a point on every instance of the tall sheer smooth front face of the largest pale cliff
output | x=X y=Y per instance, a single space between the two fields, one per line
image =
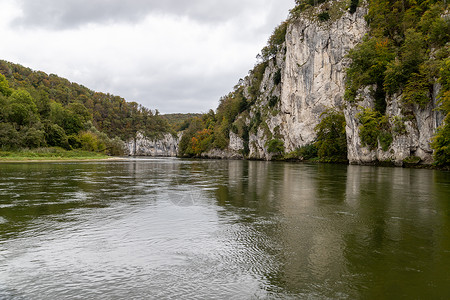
x=313 y=77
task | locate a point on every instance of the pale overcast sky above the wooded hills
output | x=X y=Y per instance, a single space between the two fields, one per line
x=170 y=55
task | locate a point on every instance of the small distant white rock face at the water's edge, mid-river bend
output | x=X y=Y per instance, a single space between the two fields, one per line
x=167 y=146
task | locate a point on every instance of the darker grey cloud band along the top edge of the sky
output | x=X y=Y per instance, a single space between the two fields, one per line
x=73 y=13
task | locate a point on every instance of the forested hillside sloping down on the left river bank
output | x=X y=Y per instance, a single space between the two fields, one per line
x=40 y=110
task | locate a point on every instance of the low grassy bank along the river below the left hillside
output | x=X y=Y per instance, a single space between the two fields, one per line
x=53 y=153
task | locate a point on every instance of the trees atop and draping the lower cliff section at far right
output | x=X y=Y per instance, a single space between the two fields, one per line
x=407 y=43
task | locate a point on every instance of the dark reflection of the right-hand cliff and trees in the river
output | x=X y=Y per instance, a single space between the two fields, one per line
x=340 y=227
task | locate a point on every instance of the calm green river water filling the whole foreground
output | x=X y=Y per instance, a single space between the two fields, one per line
x=177 y=229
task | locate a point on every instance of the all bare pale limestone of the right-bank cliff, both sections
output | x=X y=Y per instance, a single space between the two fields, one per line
x=312 y=63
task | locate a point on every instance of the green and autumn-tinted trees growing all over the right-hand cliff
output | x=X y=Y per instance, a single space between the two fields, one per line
x=406 y=52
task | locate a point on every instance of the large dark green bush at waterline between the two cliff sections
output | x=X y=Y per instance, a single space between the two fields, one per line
x=331 y=140
